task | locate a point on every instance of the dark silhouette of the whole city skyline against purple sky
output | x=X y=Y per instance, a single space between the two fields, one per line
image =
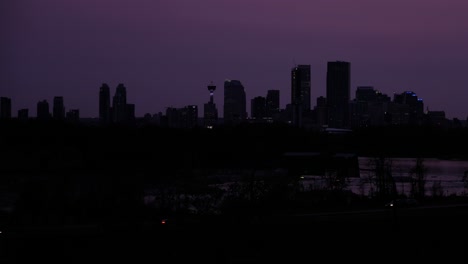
x=367 y=107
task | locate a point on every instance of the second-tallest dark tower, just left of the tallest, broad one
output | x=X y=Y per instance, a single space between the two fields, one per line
x=300 y=92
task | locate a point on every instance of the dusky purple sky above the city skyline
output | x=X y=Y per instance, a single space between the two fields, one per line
x=167 y=51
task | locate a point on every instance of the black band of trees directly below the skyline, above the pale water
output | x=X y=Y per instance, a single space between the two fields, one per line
x=45 y=146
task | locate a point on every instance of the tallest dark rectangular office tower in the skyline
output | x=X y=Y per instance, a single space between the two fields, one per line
x=338 y=93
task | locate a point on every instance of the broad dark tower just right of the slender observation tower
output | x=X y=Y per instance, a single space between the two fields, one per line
x=234 y=102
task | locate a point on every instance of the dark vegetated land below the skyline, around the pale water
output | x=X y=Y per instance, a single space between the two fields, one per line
x=73 y=193
